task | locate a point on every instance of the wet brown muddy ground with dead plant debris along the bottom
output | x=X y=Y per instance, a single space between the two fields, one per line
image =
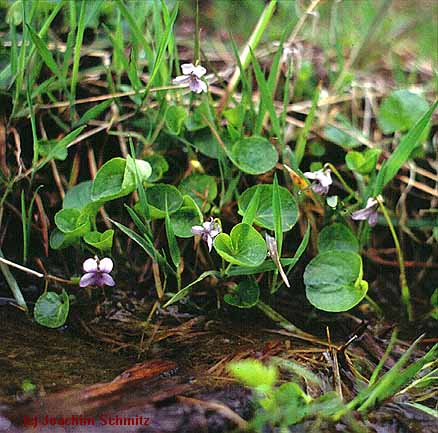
x=78 y=372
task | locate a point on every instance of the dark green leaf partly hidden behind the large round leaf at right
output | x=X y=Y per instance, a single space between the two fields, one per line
x=337 y=237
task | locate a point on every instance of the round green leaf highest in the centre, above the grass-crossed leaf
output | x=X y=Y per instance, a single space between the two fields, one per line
x=253 y=155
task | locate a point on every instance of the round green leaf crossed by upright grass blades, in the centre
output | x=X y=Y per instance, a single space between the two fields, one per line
x=265 y=214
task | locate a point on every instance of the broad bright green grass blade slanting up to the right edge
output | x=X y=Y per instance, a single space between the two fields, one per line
x=403 y=151
